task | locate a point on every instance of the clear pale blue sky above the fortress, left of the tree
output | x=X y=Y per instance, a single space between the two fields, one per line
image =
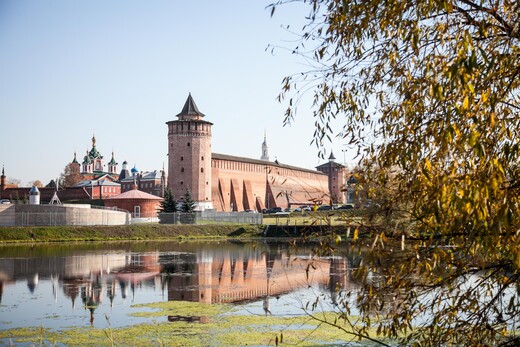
x=121 y=69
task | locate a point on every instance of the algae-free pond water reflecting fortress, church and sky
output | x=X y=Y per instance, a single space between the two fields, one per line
x=104 y=278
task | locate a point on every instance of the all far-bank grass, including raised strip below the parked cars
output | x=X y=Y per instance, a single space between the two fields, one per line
x=156 y=231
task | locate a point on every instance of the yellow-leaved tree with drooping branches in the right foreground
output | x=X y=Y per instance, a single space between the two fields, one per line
x=429 y=93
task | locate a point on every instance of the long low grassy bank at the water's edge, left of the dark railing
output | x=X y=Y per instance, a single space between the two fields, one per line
x=126 y=232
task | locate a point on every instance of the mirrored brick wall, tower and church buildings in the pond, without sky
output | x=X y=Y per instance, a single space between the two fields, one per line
x=205 y=276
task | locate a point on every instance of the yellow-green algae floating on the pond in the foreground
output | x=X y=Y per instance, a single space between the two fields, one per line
x=220 y=328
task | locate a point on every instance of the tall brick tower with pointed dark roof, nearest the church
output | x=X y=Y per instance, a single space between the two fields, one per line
x=189 y=156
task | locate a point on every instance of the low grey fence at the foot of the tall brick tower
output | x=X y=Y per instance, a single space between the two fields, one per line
x=209 y=217
